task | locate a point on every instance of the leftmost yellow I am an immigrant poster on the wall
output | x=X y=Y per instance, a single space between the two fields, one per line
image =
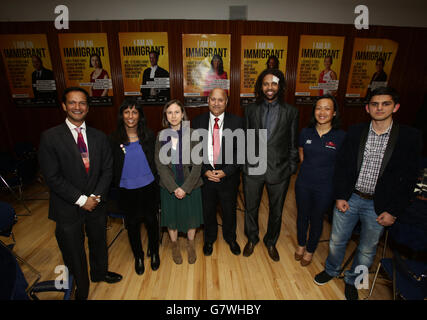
x=29 y=69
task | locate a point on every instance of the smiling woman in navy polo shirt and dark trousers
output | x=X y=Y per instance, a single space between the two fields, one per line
x=318 y=147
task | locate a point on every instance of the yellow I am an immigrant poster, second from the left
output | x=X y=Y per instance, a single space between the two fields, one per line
x=86 y=64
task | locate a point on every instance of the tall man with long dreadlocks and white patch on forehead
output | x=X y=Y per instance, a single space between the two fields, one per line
x=280 y=119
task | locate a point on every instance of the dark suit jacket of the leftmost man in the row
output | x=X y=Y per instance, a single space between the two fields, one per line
x=62 y=166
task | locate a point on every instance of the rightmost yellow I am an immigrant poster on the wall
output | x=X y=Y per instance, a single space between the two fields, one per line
x=371 y=65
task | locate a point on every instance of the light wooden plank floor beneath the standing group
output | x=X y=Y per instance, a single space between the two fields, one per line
x=220 y=276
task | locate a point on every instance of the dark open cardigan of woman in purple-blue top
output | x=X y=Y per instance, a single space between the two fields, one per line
x=119 y=157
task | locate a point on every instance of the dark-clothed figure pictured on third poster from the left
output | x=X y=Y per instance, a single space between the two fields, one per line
x=150 y=74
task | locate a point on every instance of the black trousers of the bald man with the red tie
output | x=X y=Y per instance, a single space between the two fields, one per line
x=224 y=193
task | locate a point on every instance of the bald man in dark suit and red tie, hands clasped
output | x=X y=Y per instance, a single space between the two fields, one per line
x=220 y=179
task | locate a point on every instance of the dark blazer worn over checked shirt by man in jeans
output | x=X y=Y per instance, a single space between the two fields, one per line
x=398 y=171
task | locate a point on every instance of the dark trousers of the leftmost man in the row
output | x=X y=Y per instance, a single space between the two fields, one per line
x=71 y=240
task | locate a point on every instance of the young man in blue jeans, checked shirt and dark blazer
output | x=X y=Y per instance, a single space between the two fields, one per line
x=375 y=175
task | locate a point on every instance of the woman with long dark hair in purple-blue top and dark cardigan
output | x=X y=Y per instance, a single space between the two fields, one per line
x=135 y=176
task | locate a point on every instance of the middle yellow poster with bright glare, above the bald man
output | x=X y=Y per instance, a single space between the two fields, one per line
x=206 y=64
